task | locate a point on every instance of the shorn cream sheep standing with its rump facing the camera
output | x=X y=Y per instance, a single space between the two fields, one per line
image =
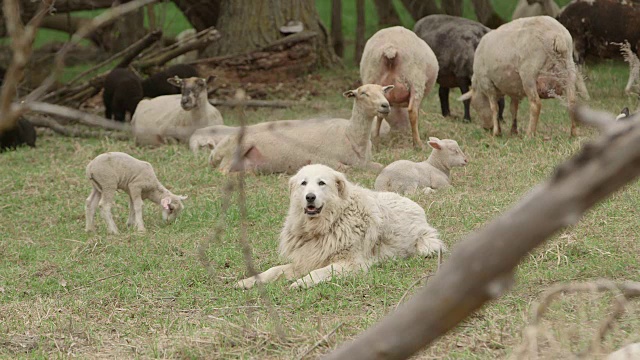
x=397 y=56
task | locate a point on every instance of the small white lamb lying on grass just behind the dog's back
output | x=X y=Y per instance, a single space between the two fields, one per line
x=405 y=176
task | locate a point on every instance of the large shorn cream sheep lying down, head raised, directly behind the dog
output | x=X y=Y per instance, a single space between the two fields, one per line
x=338 y=143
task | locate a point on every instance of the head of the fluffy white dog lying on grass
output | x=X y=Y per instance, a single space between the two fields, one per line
x=316 y=188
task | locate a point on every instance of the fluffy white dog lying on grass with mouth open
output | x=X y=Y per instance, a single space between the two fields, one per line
x=334 y=227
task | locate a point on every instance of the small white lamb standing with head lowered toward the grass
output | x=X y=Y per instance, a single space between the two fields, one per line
x=113 y=171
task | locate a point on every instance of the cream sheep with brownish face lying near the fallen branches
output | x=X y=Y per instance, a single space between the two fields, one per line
x=175 y=116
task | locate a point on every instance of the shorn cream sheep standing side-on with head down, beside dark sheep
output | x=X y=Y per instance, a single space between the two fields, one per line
x=534 y=61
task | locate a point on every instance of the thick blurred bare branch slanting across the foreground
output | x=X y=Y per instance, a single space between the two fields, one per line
x=481 y=266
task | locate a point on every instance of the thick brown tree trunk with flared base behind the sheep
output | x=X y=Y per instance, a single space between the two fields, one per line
x=252 y=24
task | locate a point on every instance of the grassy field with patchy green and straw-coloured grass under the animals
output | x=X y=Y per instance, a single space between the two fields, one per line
x=65 y=293
